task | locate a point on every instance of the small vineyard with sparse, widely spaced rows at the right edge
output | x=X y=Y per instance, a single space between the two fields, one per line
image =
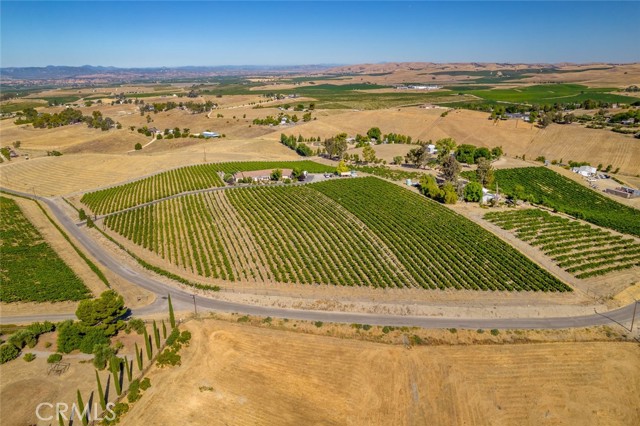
x=580 y=249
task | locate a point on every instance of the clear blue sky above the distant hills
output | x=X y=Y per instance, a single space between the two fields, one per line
x=171 y=33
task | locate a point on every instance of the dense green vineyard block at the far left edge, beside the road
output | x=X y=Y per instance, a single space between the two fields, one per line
x=31 y=270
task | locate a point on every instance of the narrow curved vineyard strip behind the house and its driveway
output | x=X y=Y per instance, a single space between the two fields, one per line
x=180 y=180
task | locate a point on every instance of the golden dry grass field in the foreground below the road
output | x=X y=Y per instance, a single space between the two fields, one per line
x=261 y=376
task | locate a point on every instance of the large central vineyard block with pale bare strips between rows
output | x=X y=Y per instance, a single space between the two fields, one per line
x=352 y=232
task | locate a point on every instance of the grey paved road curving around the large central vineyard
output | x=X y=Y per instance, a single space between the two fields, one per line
x=183 y=299
